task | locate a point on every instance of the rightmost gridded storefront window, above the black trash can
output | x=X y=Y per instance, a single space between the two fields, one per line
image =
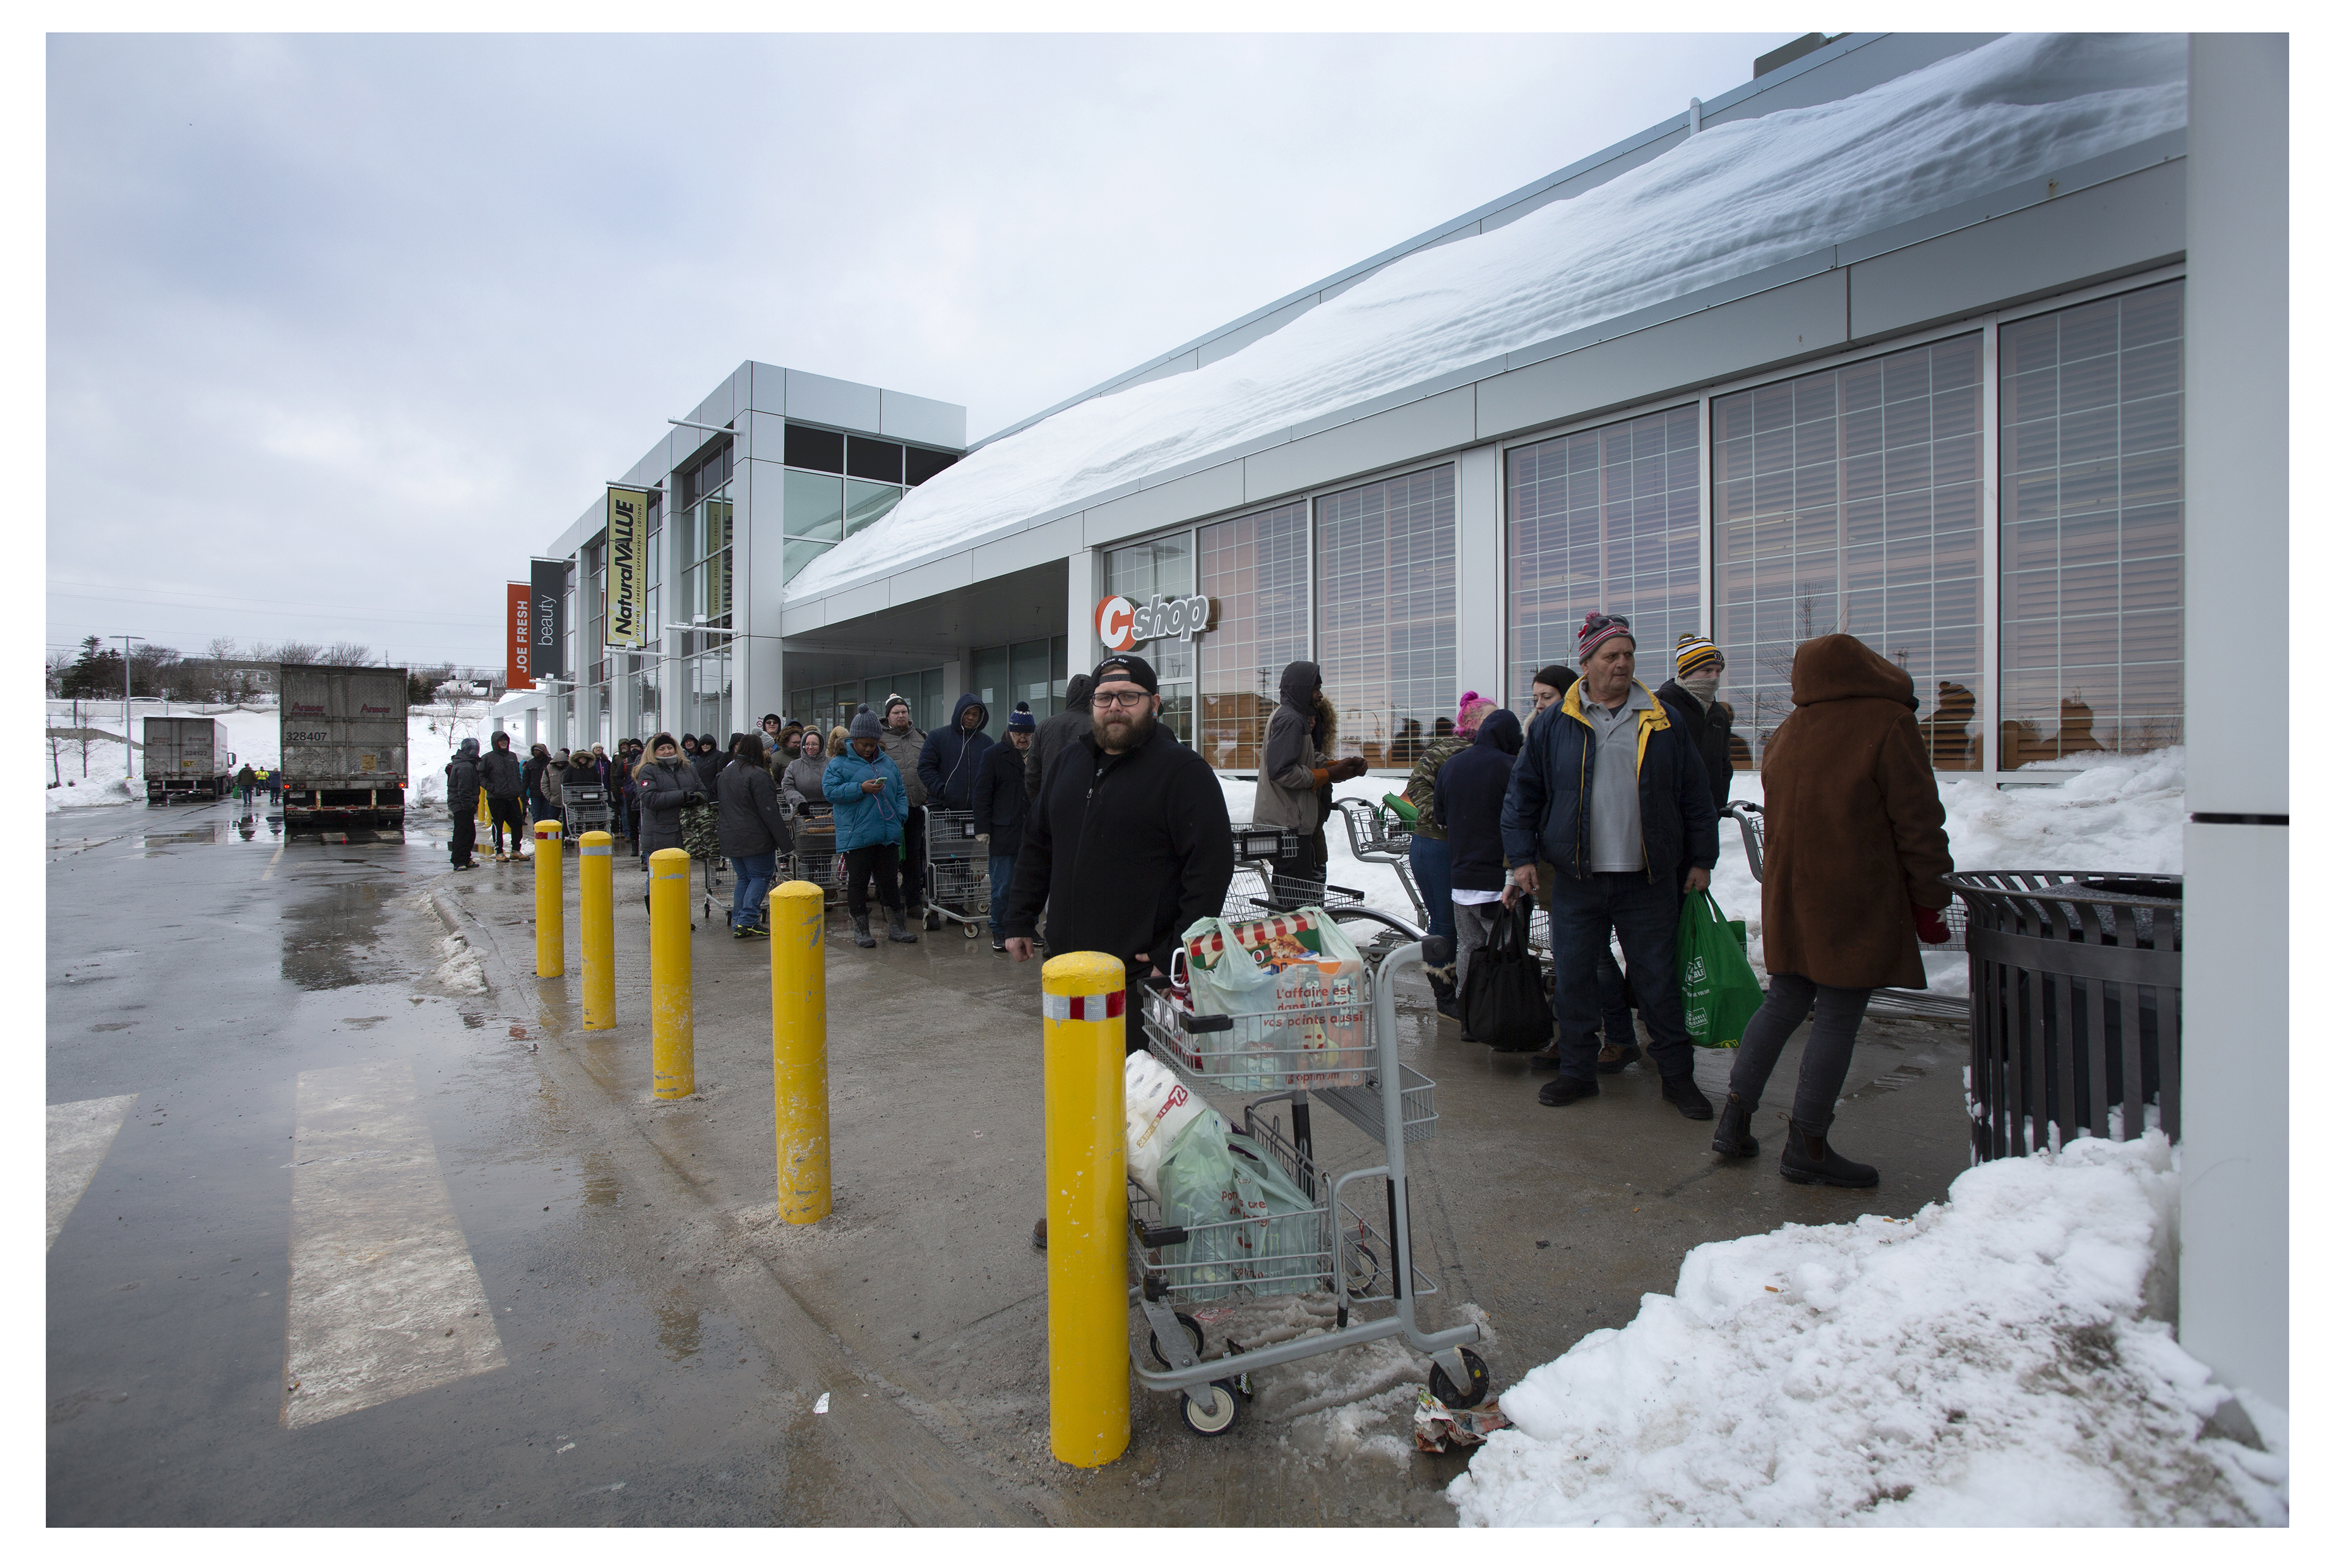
x=2091 y=529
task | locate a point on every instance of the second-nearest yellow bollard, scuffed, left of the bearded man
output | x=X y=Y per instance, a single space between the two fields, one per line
x=803 y=1113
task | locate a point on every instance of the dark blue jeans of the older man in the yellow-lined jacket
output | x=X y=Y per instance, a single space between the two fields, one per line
x=1584 y=911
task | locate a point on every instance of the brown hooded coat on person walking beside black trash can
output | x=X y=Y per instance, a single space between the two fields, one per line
x=1857 y=834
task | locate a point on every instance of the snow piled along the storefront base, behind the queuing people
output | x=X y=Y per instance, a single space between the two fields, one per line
x=2122 y=813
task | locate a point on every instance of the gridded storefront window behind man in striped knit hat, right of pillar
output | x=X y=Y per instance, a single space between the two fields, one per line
x=1605 y=520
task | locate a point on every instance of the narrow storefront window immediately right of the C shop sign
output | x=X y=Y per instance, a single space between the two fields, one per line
x=1259 y=573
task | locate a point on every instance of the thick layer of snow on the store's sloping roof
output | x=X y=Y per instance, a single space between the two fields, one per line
x=1722 y=206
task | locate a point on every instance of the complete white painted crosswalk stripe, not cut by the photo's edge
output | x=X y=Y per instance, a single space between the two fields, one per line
x=385 y=1297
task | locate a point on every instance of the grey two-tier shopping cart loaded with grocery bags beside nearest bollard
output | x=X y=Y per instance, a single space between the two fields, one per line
x=1357 y=1243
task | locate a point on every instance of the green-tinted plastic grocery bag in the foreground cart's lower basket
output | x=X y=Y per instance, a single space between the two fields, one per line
x=1247 y=1220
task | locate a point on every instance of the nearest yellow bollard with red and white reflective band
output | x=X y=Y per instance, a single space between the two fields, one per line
x=1089 y=1213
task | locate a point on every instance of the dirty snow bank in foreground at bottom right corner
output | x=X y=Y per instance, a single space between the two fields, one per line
x=1989 y=1362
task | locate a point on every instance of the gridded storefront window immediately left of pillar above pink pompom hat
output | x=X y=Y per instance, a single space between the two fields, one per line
x=1385 y=608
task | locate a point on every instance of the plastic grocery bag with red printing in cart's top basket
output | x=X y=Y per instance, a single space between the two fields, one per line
x=1301 y=983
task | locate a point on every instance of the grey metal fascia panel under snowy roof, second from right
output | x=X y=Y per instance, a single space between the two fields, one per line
x=1768 y=329
